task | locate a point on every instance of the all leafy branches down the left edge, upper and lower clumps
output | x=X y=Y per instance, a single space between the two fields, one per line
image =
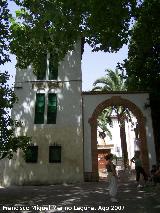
x=9 y=143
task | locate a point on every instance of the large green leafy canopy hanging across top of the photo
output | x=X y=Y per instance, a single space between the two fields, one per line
x=54 y=26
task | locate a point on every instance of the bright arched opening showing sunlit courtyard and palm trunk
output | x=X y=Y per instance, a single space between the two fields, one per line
x=117 y=133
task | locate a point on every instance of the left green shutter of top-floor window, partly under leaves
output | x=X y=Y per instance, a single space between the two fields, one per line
x=41 y=67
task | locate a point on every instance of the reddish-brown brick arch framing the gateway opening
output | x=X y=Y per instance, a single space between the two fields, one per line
x=117 y=100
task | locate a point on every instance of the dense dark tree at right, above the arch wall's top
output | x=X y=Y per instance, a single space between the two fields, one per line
x=143 y=63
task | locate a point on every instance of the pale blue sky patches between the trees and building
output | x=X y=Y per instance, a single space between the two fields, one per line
x=94 y=64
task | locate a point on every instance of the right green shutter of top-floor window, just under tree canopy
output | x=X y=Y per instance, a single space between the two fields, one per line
x=53 y=67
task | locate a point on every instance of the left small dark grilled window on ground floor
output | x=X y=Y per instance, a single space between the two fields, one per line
x=31 y=154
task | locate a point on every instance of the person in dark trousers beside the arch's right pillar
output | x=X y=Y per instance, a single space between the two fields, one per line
x=139 y=169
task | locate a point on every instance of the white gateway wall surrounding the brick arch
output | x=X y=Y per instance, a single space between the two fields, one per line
x=90 y=102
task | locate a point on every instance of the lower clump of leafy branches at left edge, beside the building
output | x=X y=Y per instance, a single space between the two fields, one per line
x=9 y=143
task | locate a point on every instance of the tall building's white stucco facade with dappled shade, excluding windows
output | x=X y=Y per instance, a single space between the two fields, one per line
x=67 y=131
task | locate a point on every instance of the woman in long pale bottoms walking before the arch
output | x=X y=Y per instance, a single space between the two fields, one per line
x=112 y=177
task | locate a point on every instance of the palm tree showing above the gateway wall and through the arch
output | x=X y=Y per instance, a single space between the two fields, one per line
x=113 y=81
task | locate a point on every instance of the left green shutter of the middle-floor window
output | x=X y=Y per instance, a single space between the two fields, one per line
x=39 y=108
